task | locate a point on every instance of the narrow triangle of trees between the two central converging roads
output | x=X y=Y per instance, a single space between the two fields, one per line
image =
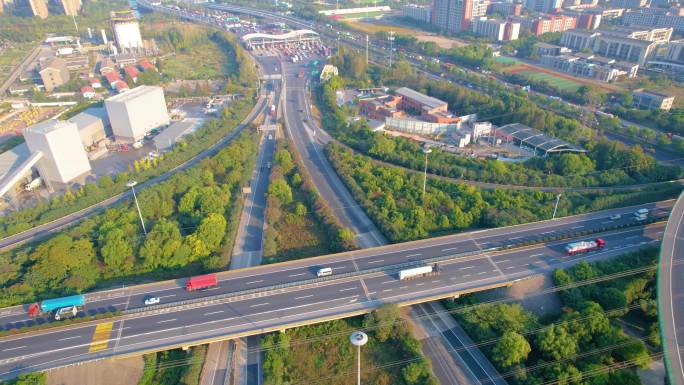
x=300 y=224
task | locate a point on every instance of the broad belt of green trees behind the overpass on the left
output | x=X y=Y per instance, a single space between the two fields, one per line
x=191 y=220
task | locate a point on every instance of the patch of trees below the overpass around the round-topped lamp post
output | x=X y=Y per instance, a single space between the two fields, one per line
x=290 y=357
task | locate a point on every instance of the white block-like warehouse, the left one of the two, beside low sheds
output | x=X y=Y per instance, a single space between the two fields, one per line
x=64 y=159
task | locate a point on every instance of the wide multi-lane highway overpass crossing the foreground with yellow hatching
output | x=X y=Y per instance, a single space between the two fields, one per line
x=274 y=297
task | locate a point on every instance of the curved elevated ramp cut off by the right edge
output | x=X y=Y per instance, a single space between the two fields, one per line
x=670 y=289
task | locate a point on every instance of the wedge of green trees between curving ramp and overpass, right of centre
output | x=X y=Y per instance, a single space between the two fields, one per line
x=393 y=198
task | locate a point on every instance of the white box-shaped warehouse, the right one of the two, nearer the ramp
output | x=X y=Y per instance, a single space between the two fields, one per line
x=135 y=113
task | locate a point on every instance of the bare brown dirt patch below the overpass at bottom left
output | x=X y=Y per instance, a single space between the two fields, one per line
x=108 y=372
